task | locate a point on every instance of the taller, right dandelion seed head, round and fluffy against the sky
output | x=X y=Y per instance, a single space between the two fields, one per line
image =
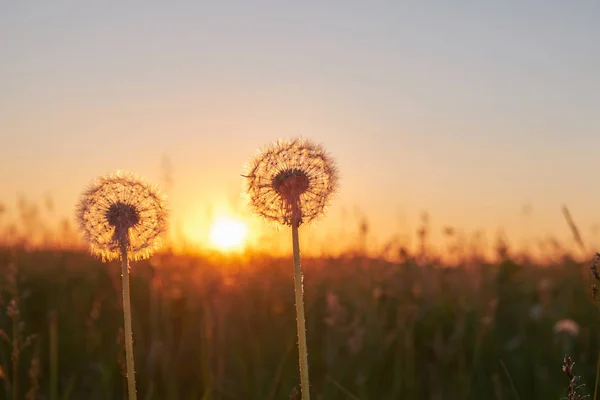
x=291 y=181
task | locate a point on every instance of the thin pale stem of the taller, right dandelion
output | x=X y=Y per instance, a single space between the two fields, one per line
x=302 y=348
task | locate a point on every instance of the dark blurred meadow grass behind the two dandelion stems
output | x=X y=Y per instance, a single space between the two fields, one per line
x=224 y=328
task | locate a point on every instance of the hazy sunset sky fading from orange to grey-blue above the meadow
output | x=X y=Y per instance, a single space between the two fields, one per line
x=471 y=111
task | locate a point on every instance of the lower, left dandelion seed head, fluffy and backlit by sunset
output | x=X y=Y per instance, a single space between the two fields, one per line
x=122 y=210
